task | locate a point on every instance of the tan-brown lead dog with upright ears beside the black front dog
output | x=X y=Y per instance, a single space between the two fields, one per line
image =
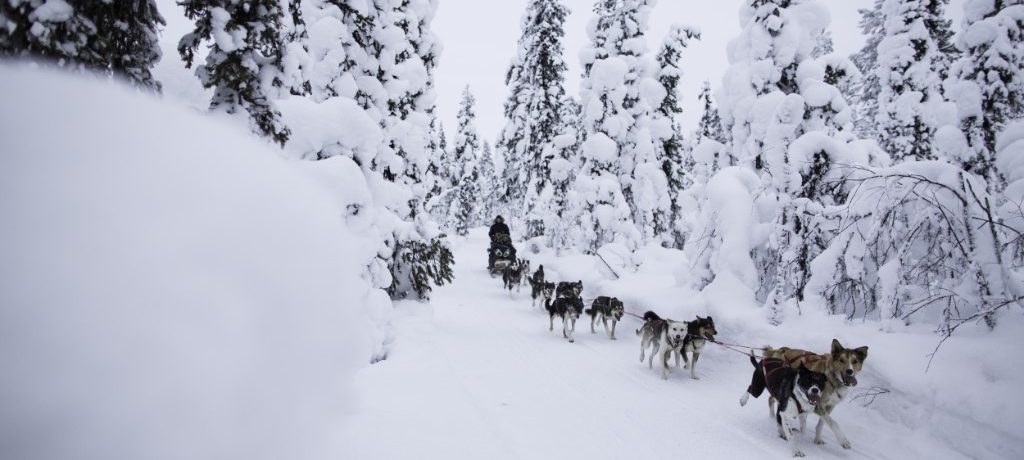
x=841 y=367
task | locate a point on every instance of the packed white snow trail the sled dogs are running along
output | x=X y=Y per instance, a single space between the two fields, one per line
x=476 y=374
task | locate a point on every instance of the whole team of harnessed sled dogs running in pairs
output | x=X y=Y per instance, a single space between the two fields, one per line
x=798 y=382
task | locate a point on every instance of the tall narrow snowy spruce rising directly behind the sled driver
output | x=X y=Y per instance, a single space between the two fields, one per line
x=536 y=81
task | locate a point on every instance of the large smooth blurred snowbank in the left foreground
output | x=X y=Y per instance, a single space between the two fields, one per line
x=170 y=287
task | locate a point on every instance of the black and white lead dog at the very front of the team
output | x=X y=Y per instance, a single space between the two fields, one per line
x=798 y=392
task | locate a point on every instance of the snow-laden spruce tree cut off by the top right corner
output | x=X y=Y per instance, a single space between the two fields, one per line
x=988 y=82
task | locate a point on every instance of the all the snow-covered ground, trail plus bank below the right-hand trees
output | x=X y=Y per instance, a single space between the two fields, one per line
x=477 y=374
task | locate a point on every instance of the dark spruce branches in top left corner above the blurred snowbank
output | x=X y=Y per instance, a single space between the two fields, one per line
x=118 y=38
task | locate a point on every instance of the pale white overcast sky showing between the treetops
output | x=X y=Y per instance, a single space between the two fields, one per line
x=480 y=38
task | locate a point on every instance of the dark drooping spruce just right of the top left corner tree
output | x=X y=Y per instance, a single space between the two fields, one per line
x=245 y=58
